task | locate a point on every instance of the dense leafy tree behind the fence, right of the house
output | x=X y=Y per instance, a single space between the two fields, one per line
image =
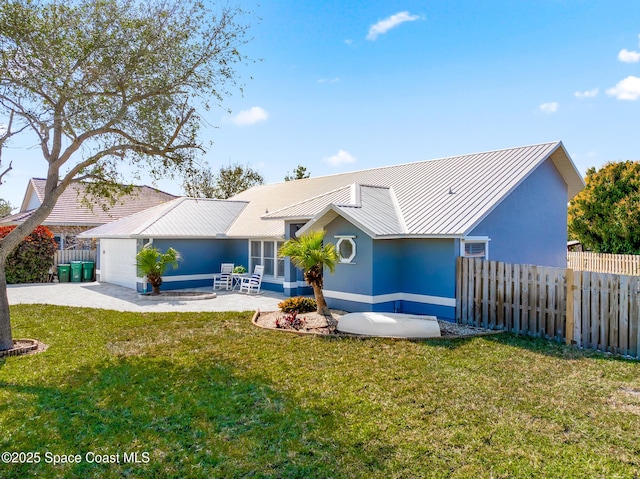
x=605 y=215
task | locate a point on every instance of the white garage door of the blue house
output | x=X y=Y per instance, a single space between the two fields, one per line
x=117 y=262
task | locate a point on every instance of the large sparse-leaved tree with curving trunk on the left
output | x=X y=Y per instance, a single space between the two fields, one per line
x=101 y=83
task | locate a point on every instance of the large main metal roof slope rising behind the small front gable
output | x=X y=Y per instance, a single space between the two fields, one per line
x=448 y=196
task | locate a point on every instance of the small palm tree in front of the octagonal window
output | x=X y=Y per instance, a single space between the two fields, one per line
x=309 y=254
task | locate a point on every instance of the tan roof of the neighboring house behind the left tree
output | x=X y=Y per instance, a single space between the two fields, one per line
x=70 y=211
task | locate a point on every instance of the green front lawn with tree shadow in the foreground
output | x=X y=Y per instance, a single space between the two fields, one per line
x=209 y=395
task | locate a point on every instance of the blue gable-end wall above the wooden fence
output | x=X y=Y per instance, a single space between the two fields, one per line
x=530 y=225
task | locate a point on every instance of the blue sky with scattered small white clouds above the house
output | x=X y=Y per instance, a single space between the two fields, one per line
x=347 y=85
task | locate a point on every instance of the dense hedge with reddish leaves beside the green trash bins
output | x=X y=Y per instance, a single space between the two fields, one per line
x=31 y=260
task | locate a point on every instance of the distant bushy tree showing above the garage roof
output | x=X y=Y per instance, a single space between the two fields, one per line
x=229 y=181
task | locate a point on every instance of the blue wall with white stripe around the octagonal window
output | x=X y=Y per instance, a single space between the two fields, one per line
x=402 y=275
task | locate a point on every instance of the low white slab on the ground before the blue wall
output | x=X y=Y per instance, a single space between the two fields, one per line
x=390 y=325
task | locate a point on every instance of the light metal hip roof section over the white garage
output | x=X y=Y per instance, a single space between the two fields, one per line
x=182 y=217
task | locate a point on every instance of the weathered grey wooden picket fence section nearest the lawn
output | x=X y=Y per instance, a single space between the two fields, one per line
x=592 y=310
